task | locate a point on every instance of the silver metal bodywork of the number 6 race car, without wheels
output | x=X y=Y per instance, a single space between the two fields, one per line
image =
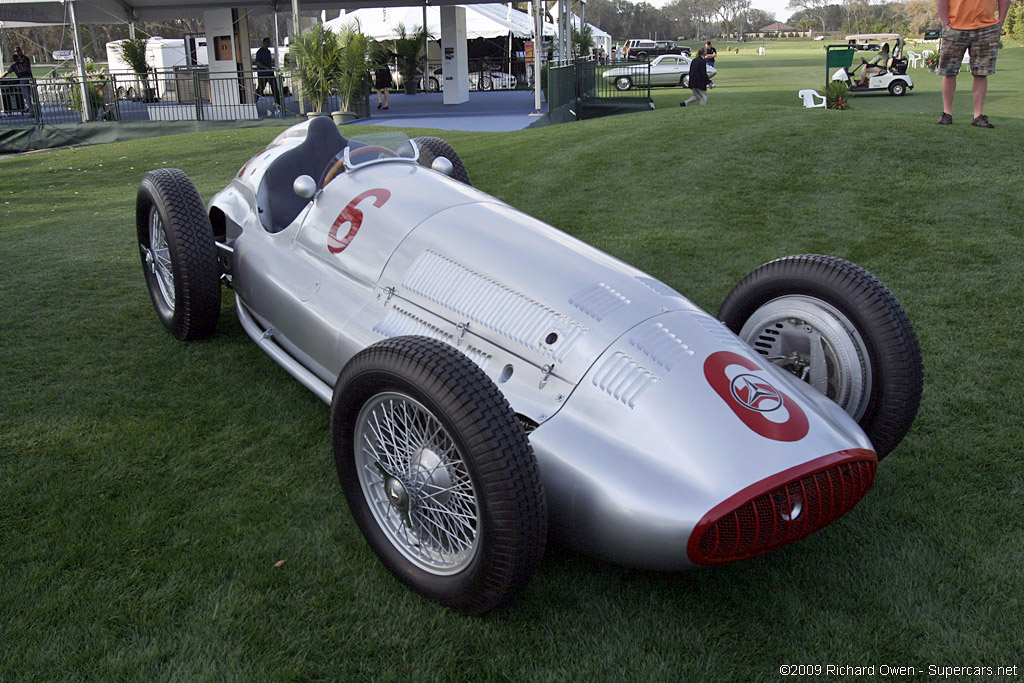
x=654 y=422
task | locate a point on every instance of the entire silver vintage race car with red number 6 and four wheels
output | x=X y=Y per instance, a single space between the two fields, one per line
x=492 y=378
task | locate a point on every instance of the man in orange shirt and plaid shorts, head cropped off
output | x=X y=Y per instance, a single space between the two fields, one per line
x=974 y=25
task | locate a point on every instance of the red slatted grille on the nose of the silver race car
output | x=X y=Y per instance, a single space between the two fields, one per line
x=783 y=508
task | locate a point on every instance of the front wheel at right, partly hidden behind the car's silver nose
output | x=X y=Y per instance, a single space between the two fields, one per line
x=783 y=306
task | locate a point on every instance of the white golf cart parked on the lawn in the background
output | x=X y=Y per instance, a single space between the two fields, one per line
x=893 y=75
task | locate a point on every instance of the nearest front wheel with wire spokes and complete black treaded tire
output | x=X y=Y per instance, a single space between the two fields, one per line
x=486 y=475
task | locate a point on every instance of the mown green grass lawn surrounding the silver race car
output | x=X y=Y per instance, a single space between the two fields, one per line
x=149 y=488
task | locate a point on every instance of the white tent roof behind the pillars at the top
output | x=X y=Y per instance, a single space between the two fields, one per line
x=488 y=21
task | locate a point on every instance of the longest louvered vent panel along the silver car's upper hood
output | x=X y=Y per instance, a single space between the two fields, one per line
x=493 y=306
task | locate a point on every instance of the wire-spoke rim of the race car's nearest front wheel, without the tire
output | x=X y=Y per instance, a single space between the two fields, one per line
x=416 y=484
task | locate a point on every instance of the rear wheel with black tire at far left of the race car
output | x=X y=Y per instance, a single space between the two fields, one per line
x=180 y=257
